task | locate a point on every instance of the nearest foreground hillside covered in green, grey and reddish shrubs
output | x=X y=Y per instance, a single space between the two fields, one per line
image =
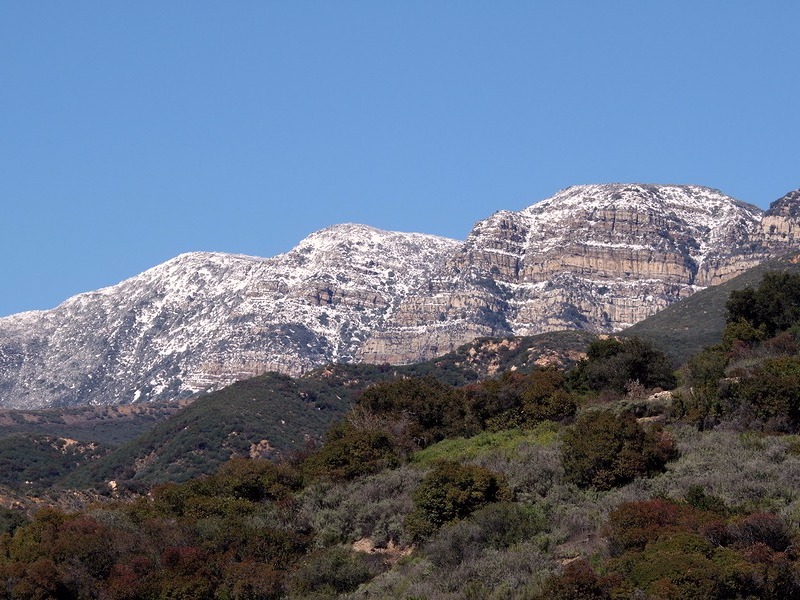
x=582 y=482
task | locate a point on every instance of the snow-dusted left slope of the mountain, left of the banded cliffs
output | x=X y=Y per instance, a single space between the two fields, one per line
x=203 y=320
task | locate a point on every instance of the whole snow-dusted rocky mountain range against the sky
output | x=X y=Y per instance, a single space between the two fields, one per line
x=597 y=258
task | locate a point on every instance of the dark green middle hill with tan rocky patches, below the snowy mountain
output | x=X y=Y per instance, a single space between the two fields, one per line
x=275 y=415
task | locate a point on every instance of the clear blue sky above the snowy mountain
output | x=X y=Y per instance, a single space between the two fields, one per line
x=133 y=131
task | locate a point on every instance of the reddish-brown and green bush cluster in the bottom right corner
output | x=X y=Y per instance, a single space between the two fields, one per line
x=667 y=549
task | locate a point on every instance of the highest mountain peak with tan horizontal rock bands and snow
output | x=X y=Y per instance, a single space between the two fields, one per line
x=599 y=257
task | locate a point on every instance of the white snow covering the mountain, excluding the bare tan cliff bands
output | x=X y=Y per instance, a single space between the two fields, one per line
x=204 y=319
